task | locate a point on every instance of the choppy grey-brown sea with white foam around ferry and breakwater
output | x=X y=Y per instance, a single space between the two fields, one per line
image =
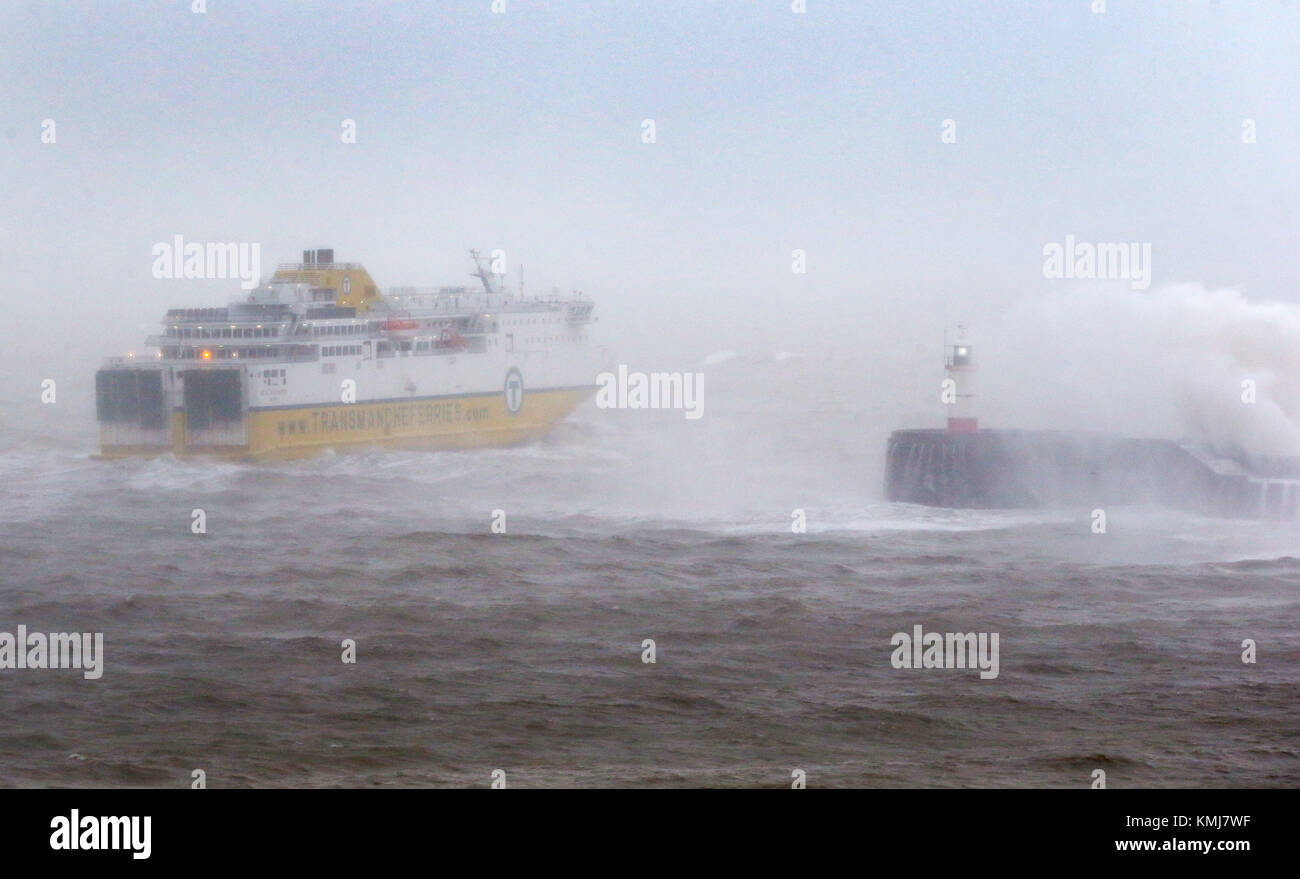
x=525 y=651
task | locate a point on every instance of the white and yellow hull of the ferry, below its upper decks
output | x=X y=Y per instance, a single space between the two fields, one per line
x=281 y=414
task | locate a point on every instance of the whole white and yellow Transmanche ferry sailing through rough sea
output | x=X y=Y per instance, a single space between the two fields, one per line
x=320 y=358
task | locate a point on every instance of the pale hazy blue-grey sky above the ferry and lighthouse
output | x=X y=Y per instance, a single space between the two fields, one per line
x=523 y=131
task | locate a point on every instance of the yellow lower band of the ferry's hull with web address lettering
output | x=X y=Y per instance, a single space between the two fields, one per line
x=439 y=423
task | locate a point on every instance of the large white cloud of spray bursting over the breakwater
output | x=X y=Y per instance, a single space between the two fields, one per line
x=1168 y=363
